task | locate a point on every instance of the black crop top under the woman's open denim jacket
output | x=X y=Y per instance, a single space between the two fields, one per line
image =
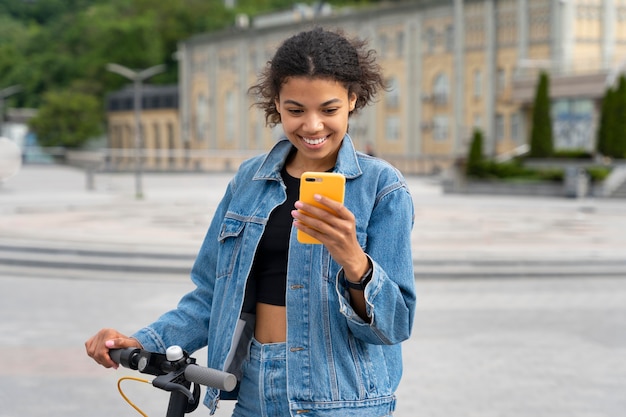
x=268 y=279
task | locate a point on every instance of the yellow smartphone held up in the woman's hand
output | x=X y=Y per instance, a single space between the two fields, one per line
x=328 y=184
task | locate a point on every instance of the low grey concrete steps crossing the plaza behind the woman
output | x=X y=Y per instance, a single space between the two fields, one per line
x=37 y=260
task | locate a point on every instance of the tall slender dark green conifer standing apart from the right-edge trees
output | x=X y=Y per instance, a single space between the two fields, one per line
x=541 y=141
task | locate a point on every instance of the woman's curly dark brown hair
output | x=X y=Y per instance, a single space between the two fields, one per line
x=319 y=53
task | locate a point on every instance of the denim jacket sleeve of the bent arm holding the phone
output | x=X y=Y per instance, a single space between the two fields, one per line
x=390 y=295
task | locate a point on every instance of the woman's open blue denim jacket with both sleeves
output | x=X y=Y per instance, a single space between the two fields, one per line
x=337 y=364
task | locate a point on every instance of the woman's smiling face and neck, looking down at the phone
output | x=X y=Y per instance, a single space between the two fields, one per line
x=314 y=114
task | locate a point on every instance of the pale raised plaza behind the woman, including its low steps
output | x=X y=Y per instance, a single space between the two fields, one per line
x=47 y=210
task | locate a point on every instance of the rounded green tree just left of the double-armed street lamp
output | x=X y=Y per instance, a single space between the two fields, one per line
x=67 y=119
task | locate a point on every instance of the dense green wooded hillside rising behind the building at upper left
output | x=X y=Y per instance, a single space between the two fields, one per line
x=64 y=45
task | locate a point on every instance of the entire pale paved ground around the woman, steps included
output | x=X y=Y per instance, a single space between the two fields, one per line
x=522 y=301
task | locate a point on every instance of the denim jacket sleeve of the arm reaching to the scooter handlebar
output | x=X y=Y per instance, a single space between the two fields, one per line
x=187 y=325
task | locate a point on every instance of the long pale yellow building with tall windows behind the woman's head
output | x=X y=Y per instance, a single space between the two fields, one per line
x=452 y=66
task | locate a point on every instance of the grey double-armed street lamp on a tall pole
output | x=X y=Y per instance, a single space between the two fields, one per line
x=137 y=77
